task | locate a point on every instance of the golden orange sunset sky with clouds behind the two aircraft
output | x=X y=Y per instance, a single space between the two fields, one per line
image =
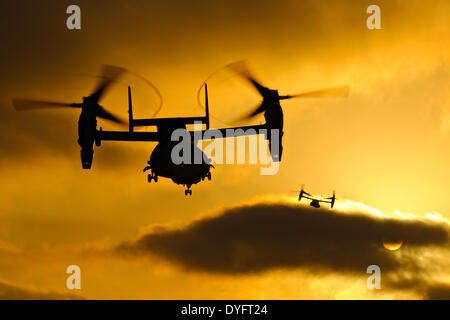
x=385 y=149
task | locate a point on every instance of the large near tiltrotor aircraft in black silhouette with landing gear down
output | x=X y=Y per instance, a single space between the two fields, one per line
x=161 y=162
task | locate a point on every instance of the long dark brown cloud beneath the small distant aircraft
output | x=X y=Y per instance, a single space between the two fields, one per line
x=263 y=236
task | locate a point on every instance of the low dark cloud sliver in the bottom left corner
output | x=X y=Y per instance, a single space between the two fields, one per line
x=13 y=292
